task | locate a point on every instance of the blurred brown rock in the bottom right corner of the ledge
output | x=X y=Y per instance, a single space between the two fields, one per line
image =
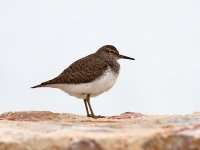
x=185 y=138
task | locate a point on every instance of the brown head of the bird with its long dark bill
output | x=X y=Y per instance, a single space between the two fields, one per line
x=110 y=52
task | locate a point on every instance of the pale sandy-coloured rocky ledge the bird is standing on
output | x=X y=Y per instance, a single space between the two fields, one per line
x=128 y=131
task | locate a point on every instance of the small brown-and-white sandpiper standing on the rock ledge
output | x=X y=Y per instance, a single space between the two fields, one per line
x=89 y=76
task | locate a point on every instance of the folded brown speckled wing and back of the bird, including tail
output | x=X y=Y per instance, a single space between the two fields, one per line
x=84 y=70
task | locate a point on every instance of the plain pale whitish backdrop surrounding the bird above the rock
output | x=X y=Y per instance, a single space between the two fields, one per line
x=40 y=38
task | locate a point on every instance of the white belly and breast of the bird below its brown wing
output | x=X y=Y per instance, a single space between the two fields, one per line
x=95 y=88
